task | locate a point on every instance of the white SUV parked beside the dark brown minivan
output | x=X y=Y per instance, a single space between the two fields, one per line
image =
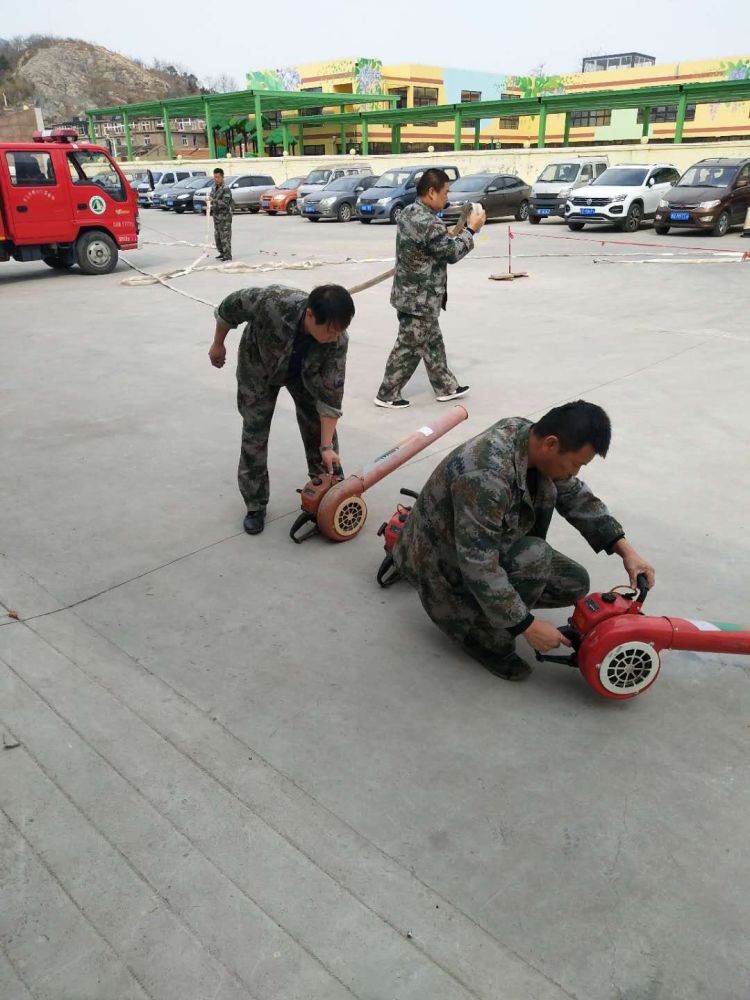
x=623 y=195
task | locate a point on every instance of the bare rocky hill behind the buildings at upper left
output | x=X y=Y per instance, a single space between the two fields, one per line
x=66 y=76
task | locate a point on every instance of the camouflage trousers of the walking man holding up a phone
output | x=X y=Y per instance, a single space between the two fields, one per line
x=419 y=339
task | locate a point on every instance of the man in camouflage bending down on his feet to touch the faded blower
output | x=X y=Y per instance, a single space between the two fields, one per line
x=292 y=339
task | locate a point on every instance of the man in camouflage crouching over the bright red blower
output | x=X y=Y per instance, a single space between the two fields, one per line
x=474 y=544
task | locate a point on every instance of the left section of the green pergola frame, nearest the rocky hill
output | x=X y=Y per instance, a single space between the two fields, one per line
x=238 y=102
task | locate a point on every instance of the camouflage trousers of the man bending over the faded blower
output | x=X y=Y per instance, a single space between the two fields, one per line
x=256 y=401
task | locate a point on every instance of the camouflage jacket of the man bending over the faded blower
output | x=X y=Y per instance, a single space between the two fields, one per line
x=273 y=315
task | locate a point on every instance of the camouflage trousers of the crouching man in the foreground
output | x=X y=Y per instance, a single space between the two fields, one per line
x=543 y=577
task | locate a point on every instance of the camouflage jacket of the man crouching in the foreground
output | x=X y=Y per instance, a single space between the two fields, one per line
x=477 y=504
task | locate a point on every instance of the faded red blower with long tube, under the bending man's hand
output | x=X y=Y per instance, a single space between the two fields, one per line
x=335 y=506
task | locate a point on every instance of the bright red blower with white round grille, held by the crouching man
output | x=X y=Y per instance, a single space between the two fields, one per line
x=616 y=647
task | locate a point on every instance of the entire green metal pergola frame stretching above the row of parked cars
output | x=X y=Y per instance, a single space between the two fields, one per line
x=258 y=102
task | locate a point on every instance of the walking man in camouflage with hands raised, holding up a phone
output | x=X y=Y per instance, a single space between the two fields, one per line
x=423 y=251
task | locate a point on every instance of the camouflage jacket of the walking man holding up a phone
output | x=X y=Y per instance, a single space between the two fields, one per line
x=423 y=251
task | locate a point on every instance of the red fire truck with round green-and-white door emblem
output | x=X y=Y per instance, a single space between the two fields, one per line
x=64 y=202
